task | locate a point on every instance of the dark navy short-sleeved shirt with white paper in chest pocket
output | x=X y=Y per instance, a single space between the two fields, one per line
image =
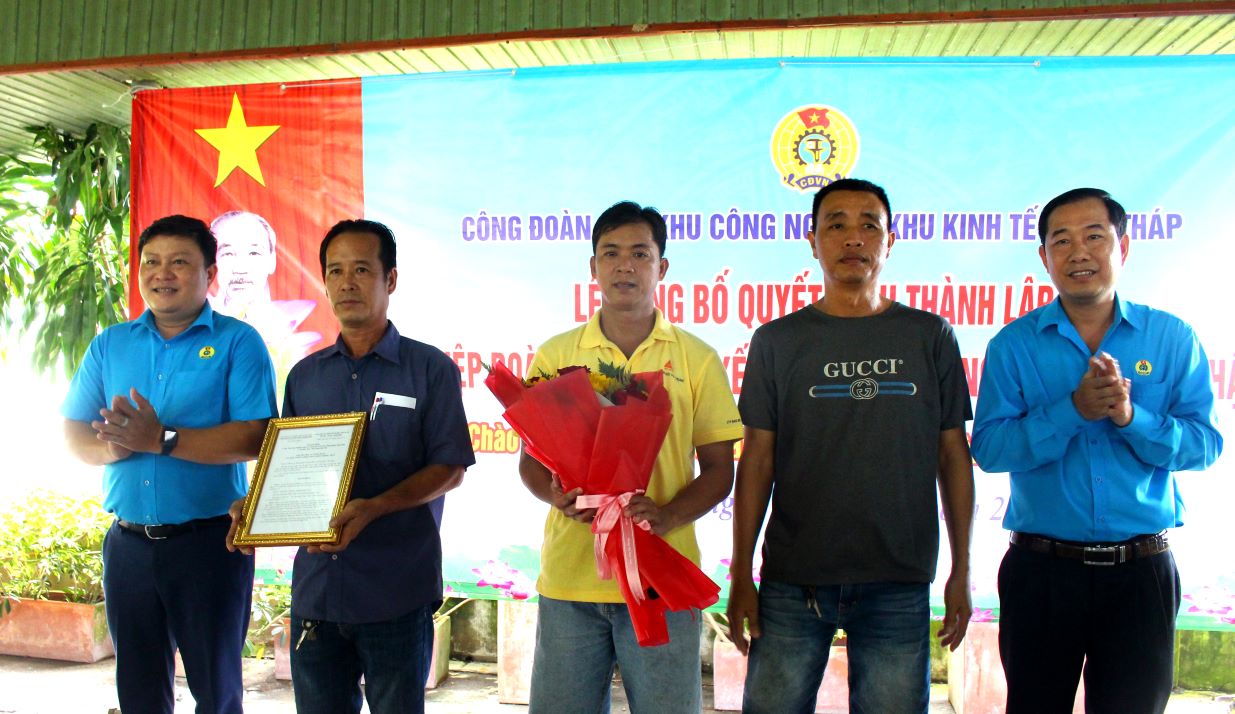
x=396 y=565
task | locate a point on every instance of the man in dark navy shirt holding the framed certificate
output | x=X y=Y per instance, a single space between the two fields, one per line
x=366 y=605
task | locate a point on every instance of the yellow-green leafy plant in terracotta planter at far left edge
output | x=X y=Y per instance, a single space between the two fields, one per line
x=51 y=579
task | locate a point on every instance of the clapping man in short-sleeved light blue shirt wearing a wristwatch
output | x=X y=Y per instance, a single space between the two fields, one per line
x=172 y=405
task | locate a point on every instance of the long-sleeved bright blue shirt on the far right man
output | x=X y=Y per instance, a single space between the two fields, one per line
x=1092 y=481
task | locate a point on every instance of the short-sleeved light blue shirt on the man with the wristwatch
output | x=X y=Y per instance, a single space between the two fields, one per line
x=216 y=372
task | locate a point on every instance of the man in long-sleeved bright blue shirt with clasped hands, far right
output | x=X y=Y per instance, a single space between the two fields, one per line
x=1091 y=403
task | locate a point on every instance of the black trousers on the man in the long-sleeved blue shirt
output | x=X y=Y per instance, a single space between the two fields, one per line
x=1059 y=616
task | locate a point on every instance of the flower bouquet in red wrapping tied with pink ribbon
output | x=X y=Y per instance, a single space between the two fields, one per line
x=601 y=432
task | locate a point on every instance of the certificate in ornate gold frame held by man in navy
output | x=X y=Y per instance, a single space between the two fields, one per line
x=303 y=480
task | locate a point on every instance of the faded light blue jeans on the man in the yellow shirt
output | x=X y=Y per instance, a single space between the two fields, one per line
x=577 y=645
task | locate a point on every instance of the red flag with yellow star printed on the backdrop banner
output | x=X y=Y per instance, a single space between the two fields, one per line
x=292 y=154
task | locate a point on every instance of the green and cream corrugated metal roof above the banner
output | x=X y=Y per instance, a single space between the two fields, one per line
x=140 y=40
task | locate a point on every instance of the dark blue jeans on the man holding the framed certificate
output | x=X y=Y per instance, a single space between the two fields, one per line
x=393 y=657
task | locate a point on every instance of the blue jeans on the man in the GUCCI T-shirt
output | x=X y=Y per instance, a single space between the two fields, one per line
x=889 y=629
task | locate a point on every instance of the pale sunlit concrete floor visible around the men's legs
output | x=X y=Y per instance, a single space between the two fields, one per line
x=46 y=687
